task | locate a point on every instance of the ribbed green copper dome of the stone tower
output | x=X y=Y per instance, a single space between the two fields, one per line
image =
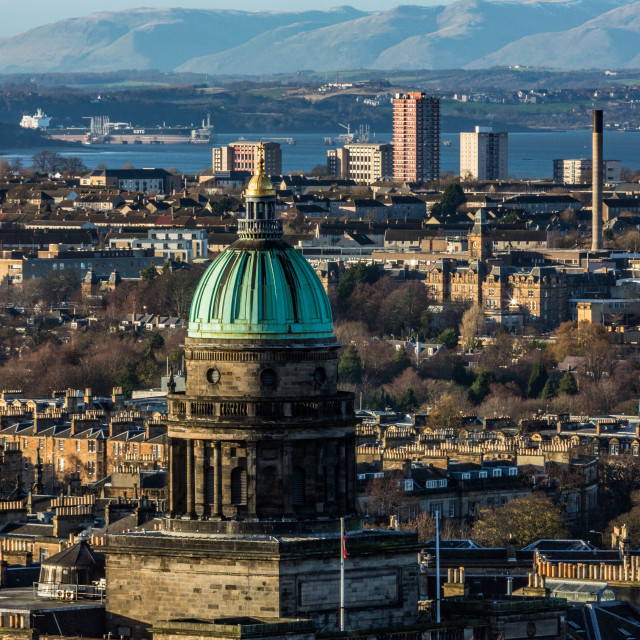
x=260 y=290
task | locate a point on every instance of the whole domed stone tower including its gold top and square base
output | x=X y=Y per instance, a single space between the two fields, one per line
x=261 y=462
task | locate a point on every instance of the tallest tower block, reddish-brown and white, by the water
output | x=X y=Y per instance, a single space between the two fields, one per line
x=416 y=137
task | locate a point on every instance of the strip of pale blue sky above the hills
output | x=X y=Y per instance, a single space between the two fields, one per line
x=18 y=17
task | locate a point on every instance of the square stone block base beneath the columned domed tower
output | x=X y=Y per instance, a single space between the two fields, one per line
x=152 y=578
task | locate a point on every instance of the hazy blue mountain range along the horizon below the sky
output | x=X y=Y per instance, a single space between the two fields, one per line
x=575 y=34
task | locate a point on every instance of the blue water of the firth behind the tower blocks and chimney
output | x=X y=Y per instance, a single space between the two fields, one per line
x=530 y=154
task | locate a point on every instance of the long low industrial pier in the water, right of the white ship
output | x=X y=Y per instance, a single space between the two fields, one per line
x=103 y=131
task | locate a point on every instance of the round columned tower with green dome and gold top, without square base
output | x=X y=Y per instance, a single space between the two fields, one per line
x=262 y=431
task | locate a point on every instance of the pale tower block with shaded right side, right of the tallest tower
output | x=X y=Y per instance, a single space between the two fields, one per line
x=484 y=154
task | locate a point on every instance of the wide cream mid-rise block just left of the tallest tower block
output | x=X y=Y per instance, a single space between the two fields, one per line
x=362 y=162
